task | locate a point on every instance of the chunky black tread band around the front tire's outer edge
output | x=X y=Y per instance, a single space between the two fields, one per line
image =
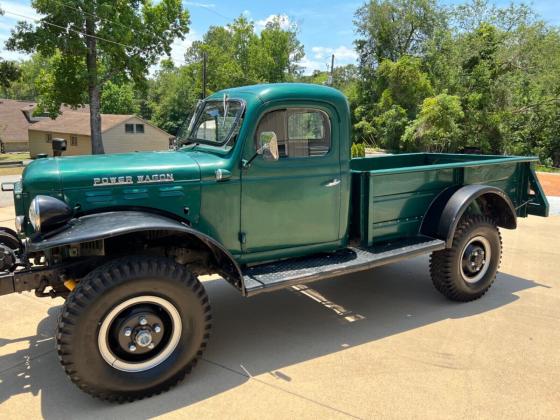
x=106 y=277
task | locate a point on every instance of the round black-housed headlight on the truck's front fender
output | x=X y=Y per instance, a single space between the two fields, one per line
x=47 y=213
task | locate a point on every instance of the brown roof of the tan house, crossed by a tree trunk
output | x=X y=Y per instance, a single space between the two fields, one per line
x=76 y=122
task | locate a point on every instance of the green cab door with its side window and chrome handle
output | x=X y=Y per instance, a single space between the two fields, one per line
x=291 y=199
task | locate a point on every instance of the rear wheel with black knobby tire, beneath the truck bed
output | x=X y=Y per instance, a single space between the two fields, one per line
x=468 y=269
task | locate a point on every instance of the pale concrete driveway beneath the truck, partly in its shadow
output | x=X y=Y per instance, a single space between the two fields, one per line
x=381 y=343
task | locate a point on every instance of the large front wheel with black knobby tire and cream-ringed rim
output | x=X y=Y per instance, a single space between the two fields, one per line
x=132 y=328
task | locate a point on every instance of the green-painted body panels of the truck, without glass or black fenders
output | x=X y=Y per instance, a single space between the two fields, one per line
x=275 y=209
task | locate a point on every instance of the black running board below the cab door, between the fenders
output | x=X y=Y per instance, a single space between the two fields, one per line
x=280 y=274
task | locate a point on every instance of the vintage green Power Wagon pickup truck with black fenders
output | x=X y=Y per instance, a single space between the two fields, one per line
x=262 y=191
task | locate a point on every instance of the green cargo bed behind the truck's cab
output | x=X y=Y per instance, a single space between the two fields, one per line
x=391 y=193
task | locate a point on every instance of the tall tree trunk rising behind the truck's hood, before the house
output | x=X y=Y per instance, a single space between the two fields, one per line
x=94 y=90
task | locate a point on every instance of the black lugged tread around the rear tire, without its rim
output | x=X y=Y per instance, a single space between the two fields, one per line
x=441 y=262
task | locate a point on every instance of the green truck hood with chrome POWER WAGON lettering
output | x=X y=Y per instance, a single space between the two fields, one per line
x=89 y=171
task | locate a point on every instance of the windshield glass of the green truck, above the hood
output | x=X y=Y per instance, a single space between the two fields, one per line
x=216 y=123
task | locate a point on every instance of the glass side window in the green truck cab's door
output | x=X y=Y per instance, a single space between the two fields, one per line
x=301 y=132
